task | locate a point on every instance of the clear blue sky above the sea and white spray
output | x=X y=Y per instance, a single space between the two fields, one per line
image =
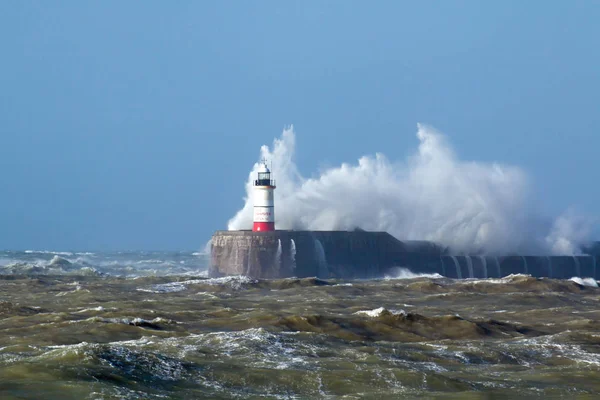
x=130 y=126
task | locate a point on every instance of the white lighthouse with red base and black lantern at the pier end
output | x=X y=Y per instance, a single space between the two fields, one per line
x=264 y=205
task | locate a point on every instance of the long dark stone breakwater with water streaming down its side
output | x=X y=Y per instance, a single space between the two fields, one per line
x=360 y=255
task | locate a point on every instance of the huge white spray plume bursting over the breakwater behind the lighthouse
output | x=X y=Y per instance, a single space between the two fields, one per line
x=433 y=195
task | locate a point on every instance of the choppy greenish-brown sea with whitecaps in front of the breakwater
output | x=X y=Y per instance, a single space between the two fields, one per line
x=151 y=325
